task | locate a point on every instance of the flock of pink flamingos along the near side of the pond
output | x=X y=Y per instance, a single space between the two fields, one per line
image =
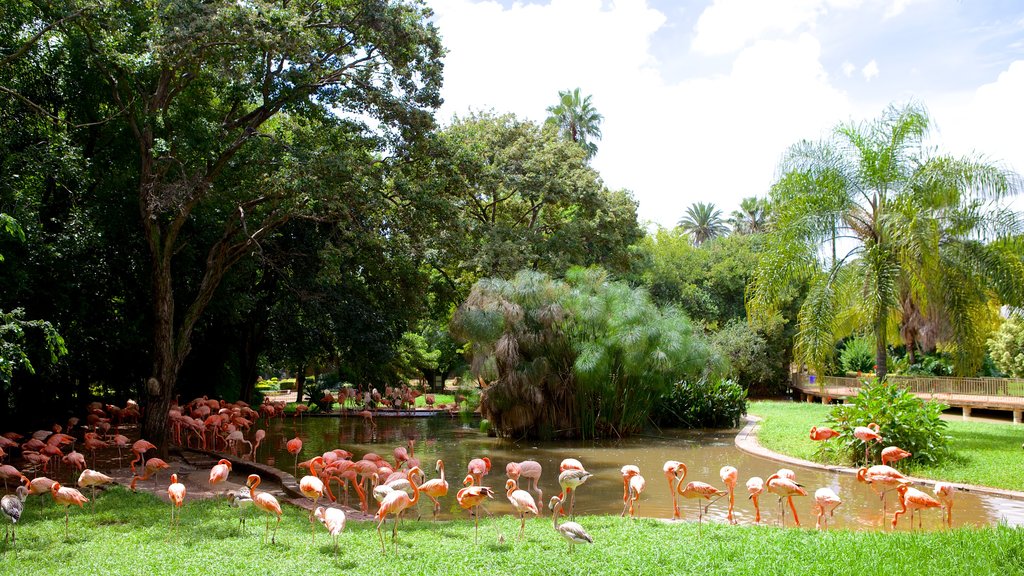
x=398 y=486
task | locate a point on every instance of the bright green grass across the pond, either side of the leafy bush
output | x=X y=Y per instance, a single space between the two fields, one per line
x=984 y=454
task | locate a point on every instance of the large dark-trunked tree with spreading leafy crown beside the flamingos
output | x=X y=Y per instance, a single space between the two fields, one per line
x=223 y=103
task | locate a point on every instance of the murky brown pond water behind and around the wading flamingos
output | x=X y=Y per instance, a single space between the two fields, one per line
x=705 y=452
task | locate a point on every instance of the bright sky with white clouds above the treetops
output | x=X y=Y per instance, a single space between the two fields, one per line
x=702 y=99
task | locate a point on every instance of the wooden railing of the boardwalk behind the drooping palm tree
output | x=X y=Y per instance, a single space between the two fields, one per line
x=920 y=385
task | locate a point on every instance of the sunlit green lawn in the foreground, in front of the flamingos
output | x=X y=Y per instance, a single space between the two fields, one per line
x=129 y=534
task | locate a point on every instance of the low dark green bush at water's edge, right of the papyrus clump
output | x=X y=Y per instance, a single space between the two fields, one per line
x=705 y=404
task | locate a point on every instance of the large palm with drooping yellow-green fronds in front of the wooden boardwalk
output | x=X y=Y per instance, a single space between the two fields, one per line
x=918 y=235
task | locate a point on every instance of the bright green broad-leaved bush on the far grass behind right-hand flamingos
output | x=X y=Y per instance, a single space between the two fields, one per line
x=905 y=421
